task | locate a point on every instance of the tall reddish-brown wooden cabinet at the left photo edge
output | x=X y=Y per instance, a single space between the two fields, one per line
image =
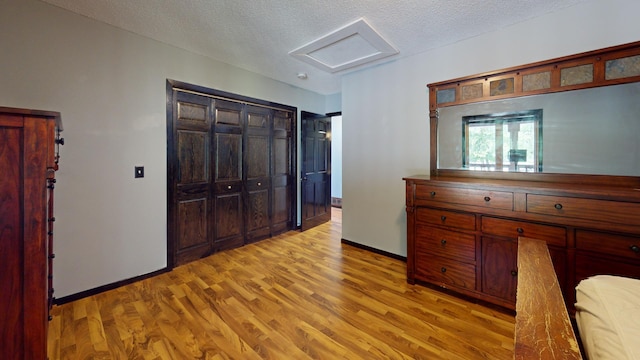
x=28 y=161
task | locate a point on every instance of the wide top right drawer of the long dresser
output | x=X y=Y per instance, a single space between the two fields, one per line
x=589 y=209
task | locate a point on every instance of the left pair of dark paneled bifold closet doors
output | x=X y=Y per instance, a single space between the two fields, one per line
x=207 y=172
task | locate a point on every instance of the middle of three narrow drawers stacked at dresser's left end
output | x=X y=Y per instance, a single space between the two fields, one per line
x=445 y=243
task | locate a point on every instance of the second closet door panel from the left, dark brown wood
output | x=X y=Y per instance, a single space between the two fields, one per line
x=228 y=204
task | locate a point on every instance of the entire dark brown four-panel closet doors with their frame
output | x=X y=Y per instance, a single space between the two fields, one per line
x=231 y=165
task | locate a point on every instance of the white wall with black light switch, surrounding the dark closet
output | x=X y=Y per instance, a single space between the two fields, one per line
x=109 y=86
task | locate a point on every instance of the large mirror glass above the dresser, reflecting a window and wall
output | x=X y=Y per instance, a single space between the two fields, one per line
x=590 y=131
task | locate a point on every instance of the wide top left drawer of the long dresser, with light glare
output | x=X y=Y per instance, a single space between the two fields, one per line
x=474 y=197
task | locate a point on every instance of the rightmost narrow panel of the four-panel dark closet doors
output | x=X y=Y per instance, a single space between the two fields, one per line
x=282 y=172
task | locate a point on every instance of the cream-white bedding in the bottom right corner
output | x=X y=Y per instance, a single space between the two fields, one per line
x=608 y=317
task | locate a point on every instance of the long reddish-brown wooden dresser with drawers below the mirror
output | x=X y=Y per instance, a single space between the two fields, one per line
x=462 y=232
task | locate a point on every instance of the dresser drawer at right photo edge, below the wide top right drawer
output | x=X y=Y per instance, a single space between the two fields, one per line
x=616 y=245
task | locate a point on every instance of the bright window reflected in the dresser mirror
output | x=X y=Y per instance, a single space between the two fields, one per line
x=503 y=141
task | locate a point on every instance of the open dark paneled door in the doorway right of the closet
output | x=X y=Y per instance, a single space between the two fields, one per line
x=316 y=170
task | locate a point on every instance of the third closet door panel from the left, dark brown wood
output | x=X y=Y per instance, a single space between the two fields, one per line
x=258 y=172
